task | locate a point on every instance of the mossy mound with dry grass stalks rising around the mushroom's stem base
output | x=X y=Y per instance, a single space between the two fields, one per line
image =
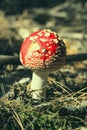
x=61 y=110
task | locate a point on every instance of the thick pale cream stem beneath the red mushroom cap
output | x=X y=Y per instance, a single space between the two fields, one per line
x=38 y=84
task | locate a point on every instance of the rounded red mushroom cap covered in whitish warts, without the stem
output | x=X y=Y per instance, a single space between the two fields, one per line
x=43 y=49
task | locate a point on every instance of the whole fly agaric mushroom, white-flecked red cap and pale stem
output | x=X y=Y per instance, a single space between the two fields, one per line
x=42 y=52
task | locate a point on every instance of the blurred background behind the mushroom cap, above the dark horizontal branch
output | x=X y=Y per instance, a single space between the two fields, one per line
x=19 y=18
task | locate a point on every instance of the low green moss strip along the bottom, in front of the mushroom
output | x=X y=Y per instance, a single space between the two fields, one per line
x=43 y=116
